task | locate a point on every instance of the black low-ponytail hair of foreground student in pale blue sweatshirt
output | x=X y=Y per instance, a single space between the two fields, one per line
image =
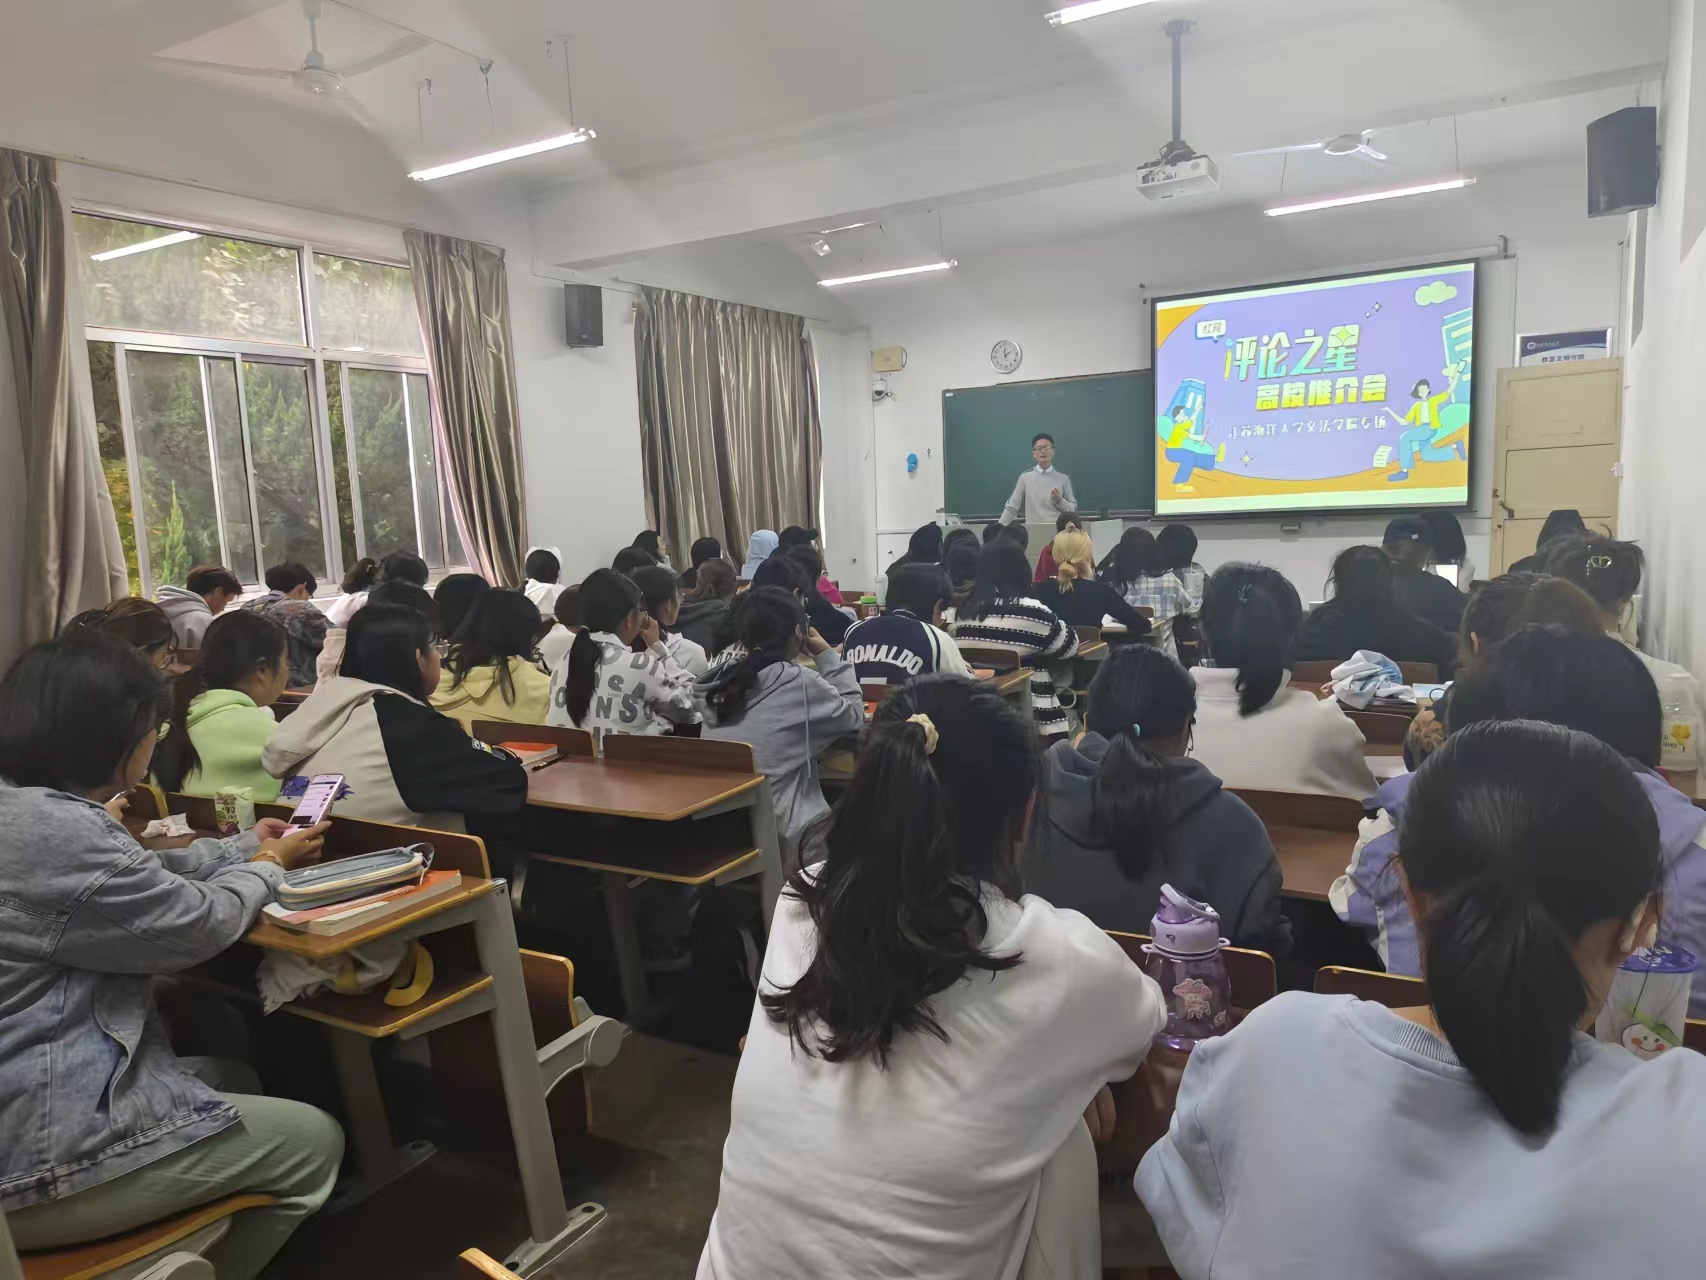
x=1517 y=839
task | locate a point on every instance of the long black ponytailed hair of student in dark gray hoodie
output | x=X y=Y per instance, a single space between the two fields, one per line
x=1140 y=699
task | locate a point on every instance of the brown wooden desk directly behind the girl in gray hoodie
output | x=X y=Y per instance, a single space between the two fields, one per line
x=659 y=820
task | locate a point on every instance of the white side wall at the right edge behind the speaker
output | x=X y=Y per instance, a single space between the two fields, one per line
x=1664 y=451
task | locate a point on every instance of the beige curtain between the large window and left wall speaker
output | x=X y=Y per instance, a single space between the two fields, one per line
x=463 y=298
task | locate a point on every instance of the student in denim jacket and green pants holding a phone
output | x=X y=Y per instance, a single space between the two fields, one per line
x=105 y=1127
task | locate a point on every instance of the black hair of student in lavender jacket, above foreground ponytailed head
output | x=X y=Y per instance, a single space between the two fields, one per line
x=1591 y=684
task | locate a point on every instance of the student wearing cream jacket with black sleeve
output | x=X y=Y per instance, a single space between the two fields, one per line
x=402 y=760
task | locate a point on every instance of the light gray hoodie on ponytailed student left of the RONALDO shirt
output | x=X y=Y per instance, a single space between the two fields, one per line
x=792 y=716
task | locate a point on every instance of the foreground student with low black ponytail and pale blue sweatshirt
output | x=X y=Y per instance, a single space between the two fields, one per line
x=1483 y=1137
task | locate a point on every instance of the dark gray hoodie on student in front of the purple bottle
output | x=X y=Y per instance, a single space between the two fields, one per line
x=1217 y=851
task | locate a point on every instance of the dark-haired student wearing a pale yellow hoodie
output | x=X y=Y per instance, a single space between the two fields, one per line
x=492 y=672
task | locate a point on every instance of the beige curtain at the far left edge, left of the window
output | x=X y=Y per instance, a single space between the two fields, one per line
x=73 y=557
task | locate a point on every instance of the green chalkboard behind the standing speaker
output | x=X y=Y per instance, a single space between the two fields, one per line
x=1103 y=428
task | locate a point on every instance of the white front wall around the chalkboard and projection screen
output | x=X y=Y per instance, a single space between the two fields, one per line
x=1079 y=308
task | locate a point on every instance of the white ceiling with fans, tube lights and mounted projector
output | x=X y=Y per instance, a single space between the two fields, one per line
x=755 y=119
